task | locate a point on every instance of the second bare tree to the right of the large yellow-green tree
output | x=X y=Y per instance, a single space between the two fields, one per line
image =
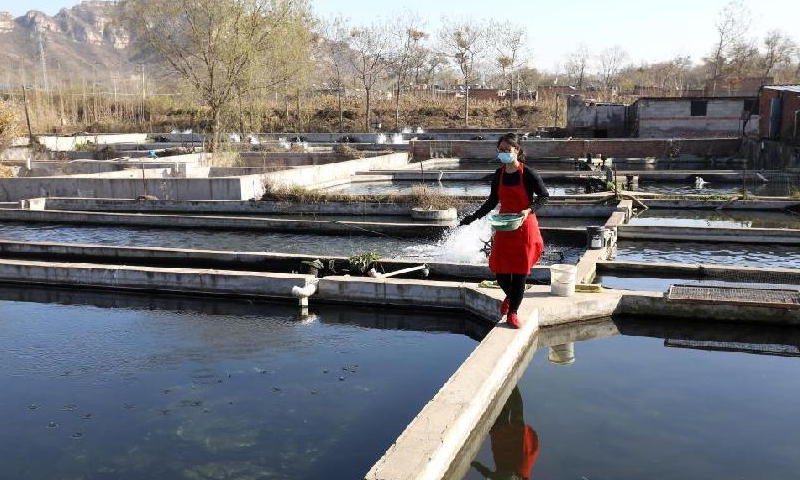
x=370 y=50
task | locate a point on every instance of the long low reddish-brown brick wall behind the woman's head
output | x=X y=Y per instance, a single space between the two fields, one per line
x=616 y=148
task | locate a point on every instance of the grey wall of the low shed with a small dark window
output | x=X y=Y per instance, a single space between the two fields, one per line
x=659 y=118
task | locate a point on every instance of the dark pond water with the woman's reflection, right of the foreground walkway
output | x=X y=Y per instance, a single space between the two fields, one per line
x=631 y=408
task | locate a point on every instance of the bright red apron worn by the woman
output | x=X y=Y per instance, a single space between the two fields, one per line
x=516 y=251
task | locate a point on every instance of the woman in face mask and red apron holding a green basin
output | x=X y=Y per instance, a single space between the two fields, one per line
x=518 y=189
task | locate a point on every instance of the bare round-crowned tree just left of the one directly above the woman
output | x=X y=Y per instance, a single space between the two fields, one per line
x=464 y=42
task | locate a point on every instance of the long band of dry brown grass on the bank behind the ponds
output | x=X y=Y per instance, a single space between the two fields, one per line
x=70 y=111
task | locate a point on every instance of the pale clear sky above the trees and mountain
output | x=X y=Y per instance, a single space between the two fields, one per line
x=647 y=30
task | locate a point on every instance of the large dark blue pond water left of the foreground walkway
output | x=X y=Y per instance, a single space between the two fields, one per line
x=122 y=387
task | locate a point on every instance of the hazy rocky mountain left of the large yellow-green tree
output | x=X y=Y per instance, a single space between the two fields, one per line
x=82 y=44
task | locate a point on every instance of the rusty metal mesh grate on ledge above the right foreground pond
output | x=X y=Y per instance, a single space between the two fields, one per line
x=752 y=297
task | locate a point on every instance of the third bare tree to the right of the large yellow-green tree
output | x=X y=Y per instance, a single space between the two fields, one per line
x=407 y=51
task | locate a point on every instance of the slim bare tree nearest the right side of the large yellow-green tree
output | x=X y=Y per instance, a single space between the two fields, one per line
x=336 y=51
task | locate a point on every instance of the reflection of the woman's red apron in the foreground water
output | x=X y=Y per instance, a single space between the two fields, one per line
x=515 y=445
